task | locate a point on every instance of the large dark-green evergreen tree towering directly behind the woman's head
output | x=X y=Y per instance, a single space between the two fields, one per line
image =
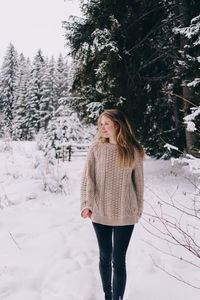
x=124 y=61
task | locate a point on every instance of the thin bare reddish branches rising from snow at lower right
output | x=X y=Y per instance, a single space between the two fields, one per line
x=174 y=230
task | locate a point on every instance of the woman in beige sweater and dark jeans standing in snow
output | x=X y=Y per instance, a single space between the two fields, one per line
x=112 y=195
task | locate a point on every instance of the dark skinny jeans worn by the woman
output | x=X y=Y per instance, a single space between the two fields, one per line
x=113 y=252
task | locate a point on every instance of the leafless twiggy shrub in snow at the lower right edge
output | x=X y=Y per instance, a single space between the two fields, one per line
x=175 y=225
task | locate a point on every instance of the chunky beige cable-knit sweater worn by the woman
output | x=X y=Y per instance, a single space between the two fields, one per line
x=113 y=194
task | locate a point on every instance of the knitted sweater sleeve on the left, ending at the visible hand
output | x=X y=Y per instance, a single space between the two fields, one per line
x=88 y=181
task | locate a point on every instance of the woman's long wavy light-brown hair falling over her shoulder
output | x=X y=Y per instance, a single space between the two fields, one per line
x=126 y=141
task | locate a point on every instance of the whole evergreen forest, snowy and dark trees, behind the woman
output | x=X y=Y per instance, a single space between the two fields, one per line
x=141 y=56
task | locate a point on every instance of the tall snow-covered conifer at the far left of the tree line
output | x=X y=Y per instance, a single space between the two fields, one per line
x=8 y=78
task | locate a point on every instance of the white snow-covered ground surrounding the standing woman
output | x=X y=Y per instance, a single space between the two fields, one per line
x=48 y=252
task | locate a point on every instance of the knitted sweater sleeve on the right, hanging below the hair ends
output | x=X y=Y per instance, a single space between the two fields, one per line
x=139 y=182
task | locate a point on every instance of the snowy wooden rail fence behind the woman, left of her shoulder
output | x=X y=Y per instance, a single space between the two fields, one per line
x=65 y=153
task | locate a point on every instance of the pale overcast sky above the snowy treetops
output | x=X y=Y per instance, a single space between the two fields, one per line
x=34 y=24
